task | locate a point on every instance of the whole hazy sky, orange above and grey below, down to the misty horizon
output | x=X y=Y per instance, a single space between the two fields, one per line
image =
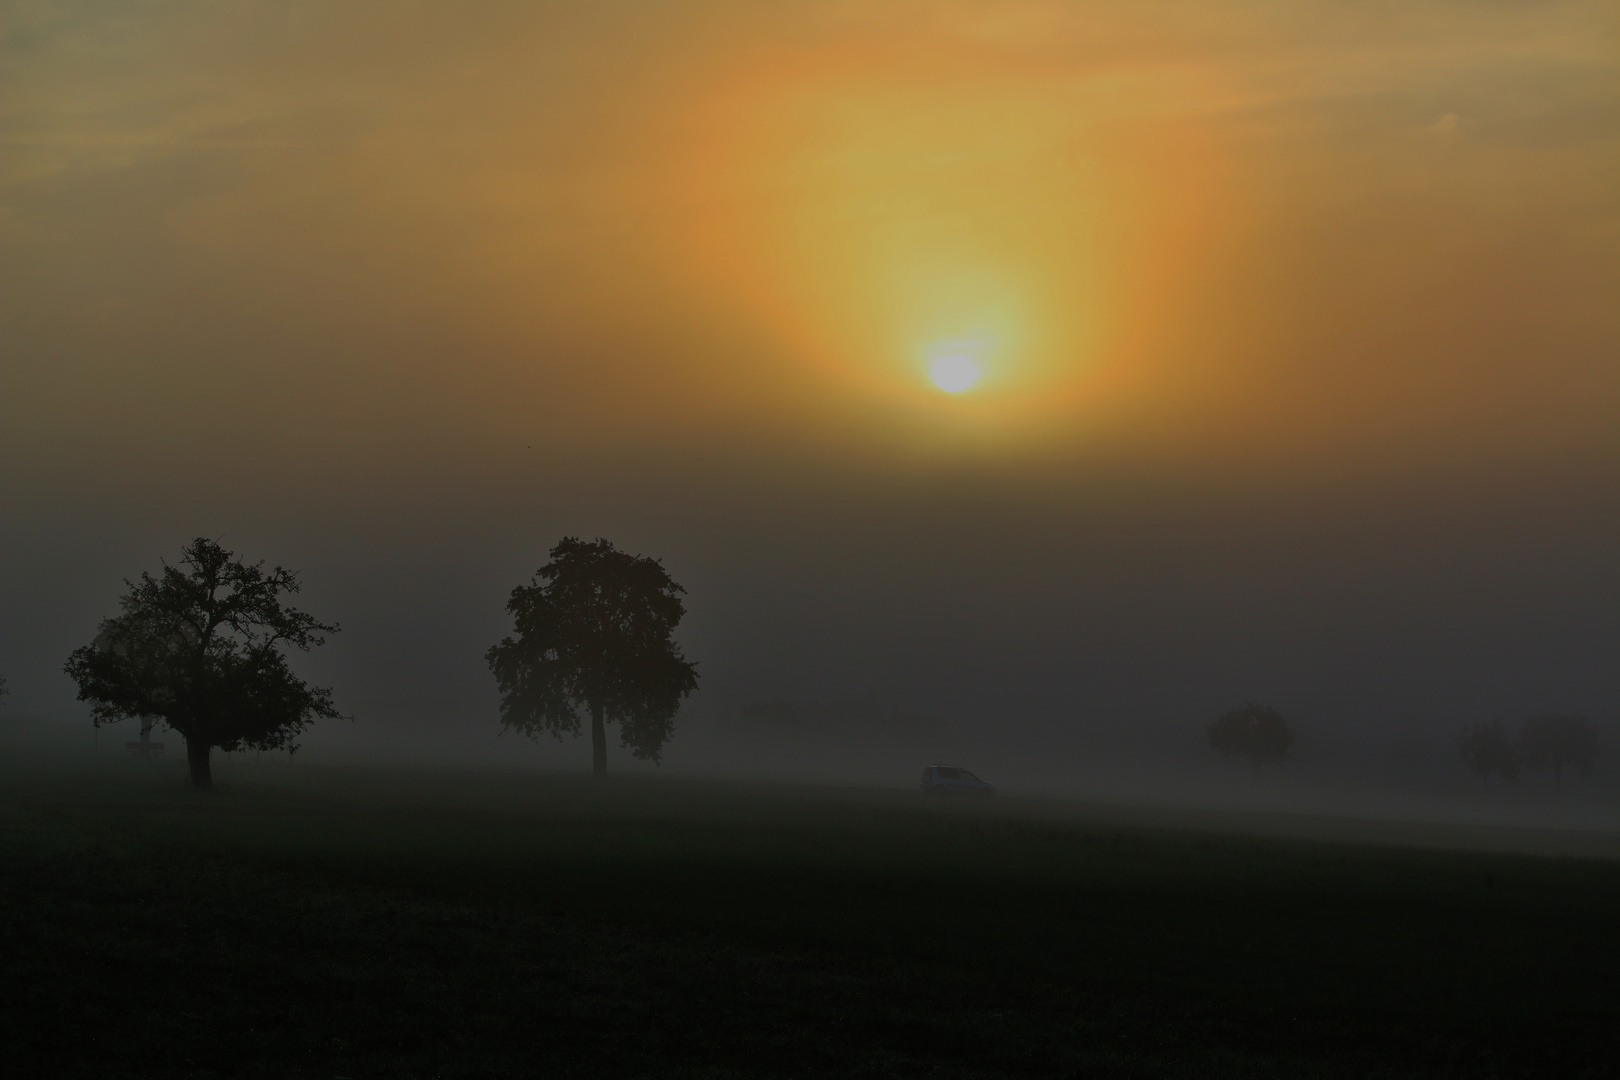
x=1295 y=325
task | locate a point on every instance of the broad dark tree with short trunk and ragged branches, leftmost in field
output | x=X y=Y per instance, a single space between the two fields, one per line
x=202 y=650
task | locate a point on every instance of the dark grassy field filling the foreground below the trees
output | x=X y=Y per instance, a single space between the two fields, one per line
x=330 y=924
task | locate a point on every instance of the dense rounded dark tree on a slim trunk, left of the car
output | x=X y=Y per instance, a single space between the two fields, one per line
x=594 y=632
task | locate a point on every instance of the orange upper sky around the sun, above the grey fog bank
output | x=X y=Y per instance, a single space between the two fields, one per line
x=1185 y=234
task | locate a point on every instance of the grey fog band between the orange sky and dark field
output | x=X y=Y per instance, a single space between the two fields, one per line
x=1062 y=644
